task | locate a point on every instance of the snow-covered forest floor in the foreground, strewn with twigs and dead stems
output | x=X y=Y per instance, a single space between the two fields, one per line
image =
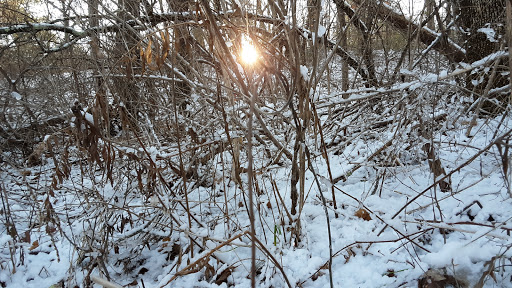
x=464 y=233
